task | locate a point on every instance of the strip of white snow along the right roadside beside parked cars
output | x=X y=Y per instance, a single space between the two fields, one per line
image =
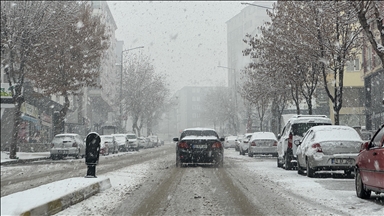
x=326 y=191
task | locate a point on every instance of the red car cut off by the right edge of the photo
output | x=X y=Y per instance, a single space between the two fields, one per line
x=369 y=167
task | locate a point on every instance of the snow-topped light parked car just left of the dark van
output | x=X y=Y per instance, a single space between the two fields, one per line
x=262 y=143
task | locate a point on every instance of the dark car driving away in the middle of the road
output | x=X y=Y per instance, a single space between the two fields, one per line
x=199 y=146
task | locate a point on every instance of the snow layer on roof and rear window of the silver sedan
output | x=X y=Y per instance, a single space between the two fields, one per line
x=335 y=132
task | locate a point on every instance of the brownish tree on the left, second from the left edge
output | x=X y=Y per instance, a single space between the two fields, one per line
x=70 y=58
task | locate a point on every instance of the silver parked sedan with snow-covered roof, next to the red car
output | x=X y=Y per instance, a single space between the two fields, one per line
x=328 y=147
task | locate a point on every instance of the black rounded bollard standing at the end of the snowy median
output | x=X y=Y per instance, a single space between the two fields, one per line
x=92 y=150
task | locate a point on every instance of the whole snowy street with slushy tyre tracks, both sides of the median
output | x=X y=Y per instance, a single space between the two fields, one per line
x=244 y=186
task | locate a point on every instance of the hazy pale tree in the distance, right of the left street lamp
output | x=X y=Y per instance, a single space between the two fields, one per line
x=145 y=92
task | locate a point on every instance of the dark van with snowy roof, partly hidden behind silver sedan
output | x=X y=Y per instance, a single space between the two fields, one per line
x=294 y=130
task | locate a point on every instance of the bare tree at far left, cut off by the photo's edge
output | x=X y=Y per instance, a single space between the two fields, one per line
x=25 y=25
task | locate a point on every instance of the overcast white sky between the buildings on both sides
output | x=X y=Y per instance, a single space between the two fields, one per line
x=186 y=40
